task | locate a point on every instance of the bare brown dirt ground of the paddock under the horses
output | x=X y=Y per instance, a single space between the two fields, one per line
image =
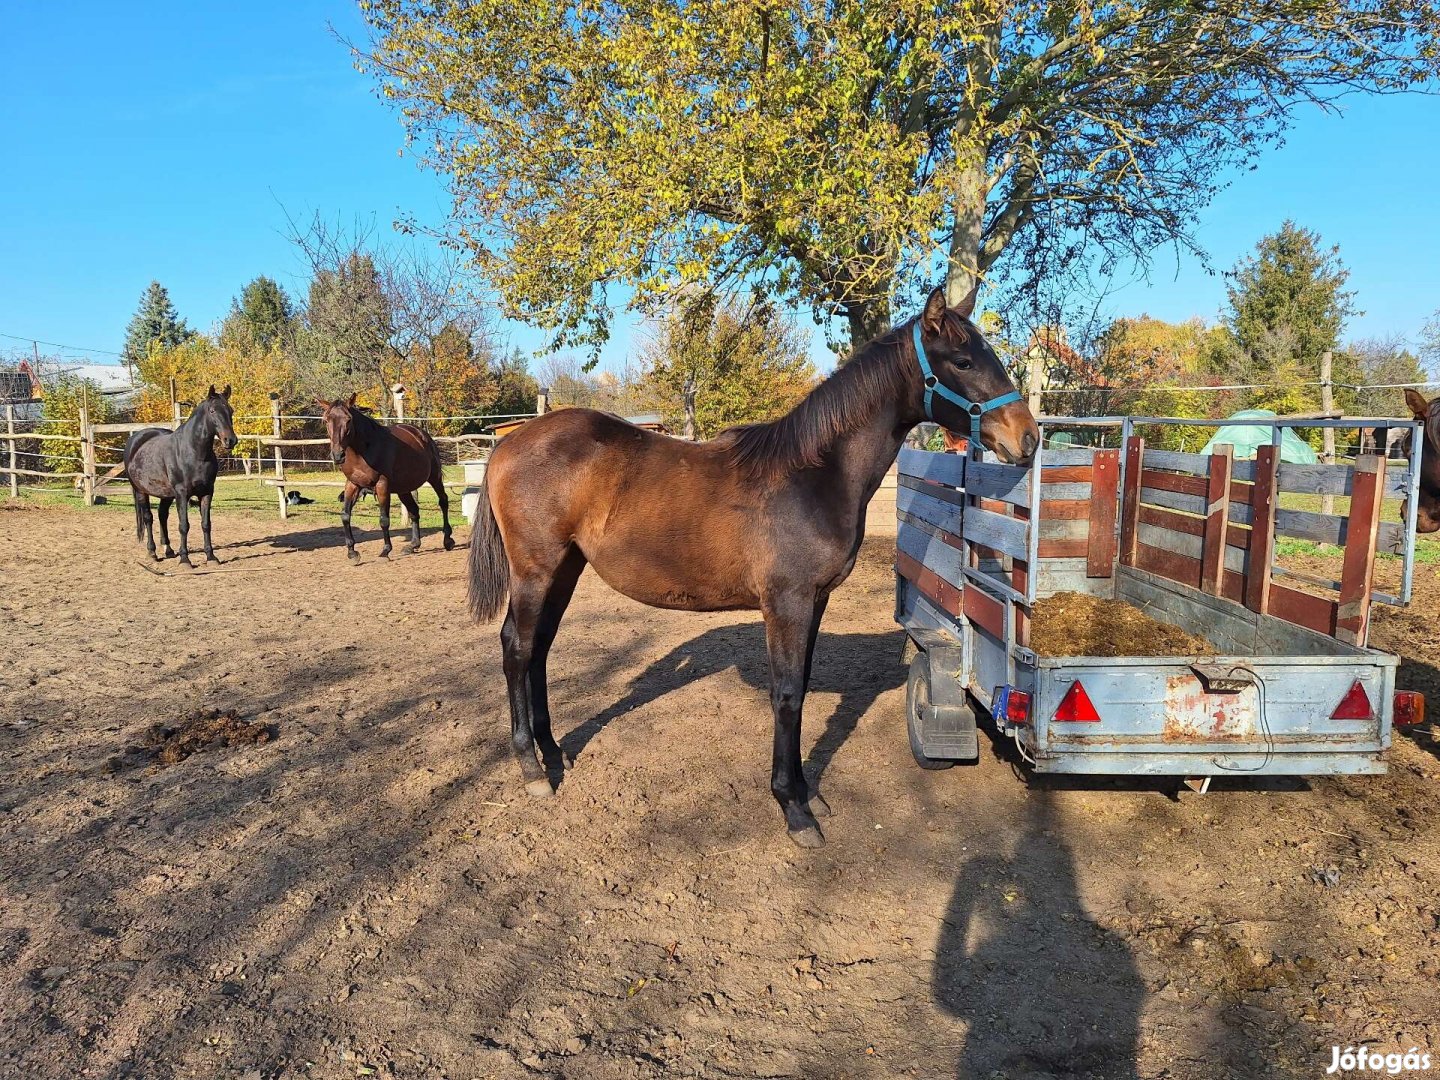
x=368 y=892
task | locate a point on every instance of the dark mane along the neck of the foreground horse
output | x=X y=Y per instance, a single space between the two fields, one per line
x=842 y=404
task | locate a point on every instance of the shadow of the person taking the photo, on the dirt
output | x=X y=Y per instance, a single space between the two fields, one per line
x=1043 y=989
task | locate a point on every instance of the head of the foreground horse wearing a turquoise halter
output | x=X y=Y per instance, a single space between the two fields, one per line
x=966 y=387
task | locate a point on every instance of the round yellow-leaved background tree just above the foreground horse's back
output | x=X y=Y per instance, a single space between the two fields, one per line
x=714 y=368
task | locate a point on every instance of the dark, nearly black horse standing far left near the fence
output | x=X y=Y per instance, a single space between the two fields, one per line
x=176 y=467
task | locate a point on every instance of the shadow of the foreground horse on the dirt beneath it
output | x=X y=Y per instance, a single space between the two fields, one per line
x=859 y=667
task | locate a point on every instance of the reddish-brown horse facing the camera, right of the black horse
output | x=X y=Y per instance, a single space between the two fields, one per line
x=384 y=460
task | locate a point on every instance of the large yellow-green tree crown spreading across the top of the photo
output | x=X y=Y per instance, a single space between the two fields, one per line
x=839 y=155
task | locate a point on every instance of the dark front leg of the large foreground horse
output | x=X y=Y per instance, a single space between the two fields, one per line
x=790 y=626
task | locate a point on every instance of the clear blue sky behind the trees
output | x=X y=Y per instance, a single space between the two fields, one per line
x=163 y=140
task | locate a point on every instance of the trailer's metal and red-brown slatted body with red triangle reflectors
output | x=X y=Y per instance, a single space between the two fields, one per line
x=1264 y=705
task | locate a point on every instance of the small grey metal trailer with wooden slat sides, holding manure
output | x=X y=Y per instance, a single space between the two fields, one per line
x=1291 y=686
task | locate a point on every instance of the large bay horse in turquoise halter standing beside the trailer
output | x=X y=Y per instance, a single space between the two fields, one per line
x=767 y=516
